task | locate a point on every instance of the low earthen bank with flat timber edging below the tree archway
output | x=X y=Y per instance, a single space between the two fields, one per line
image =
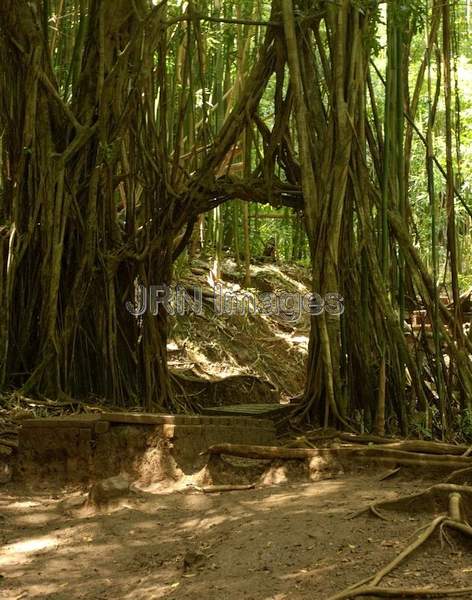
x=77 y=450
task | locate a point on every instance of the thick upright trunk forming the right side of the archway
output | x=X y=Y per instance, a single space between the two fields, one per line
x=325 y=157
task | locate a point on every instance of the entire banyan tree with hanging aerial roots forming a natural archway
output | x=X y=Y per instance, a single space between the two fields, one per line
x=111 y=149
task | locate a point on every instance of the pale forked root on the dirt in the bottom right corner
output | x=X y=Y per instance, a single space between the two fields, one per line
x=453 y=520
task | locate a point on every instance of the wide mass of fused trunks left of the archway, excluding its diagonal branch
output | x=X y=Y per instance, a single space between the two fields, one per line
x=70 y=266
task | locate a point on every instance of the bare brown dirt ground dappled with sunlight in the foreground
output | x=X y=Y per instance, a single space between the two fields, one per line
x=291 y=541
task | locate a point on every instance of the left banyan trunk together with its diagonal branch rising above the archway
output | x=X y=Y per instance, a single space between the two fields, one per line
x=94 y=196
